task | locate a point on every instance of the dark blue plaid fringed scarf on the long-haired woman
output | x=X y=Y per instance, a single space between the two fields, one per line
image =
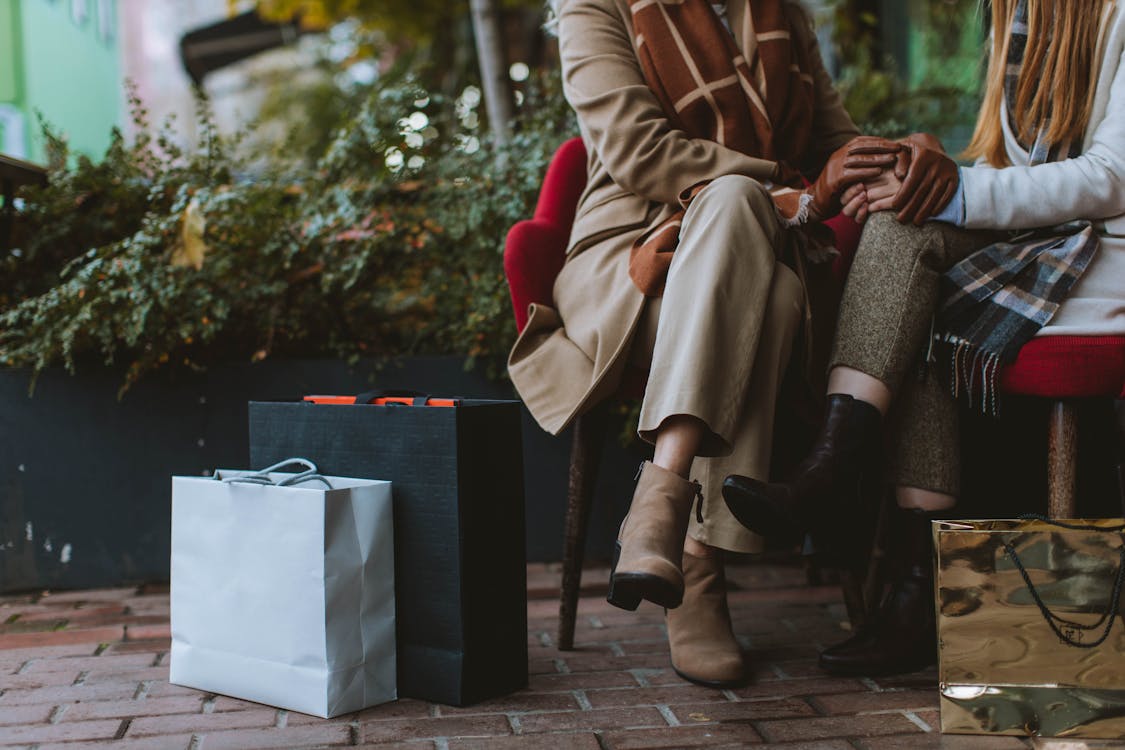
x=998 y=299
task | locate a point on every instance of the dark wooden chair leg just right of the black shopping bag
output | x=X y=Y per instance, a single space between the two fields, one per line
x=586 y=459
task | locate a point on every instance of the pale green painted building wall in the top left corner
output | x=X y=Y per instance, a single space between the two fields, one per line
x=65 y=67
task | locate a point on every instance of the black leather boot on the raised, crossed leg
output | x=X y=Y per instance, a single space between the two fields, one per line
x=824 y=496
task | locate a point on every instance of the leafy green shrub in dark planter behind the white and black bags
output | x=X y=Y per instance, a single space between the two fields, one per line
x=391 y=245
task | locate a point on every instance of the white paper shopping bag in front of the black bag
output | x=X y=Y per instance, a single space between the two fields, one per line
x=283 y=590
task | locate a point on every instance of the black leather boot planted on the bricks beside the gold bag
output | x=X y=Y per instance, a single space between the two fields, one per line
x=903 y=636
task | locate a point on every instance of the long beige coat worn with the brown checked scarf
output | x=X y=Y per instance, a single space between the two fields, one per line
x=573 y=355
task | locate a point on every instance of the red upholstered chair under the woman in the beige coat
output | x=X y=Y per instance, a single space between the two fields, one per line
x=534 y=256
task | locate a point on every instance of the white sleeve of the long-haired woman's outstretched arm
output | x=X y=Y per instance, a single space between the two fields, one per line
x=1090 y=187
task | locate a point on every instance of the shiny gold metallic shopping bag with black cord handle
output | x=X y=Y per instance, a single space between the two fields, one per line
x=1028 y=613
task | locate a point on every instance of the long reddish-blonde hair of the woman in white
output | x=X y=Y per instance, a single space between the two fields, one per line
x=1057 y=80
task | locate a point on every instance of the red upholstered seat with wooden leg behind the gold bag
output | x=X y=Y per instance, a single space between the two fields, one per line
x=1065 y=369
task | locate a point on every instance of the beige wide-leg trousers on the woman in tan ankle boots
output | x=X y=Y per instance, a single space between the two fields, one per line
x=719 y=341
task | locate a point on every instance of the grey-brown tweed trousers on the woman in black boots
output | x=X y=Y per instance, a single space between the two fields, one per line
x=885 y=330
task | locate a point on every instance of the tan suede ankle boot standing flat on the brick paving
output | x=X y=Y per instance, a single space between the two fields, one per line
x=704 y=647
